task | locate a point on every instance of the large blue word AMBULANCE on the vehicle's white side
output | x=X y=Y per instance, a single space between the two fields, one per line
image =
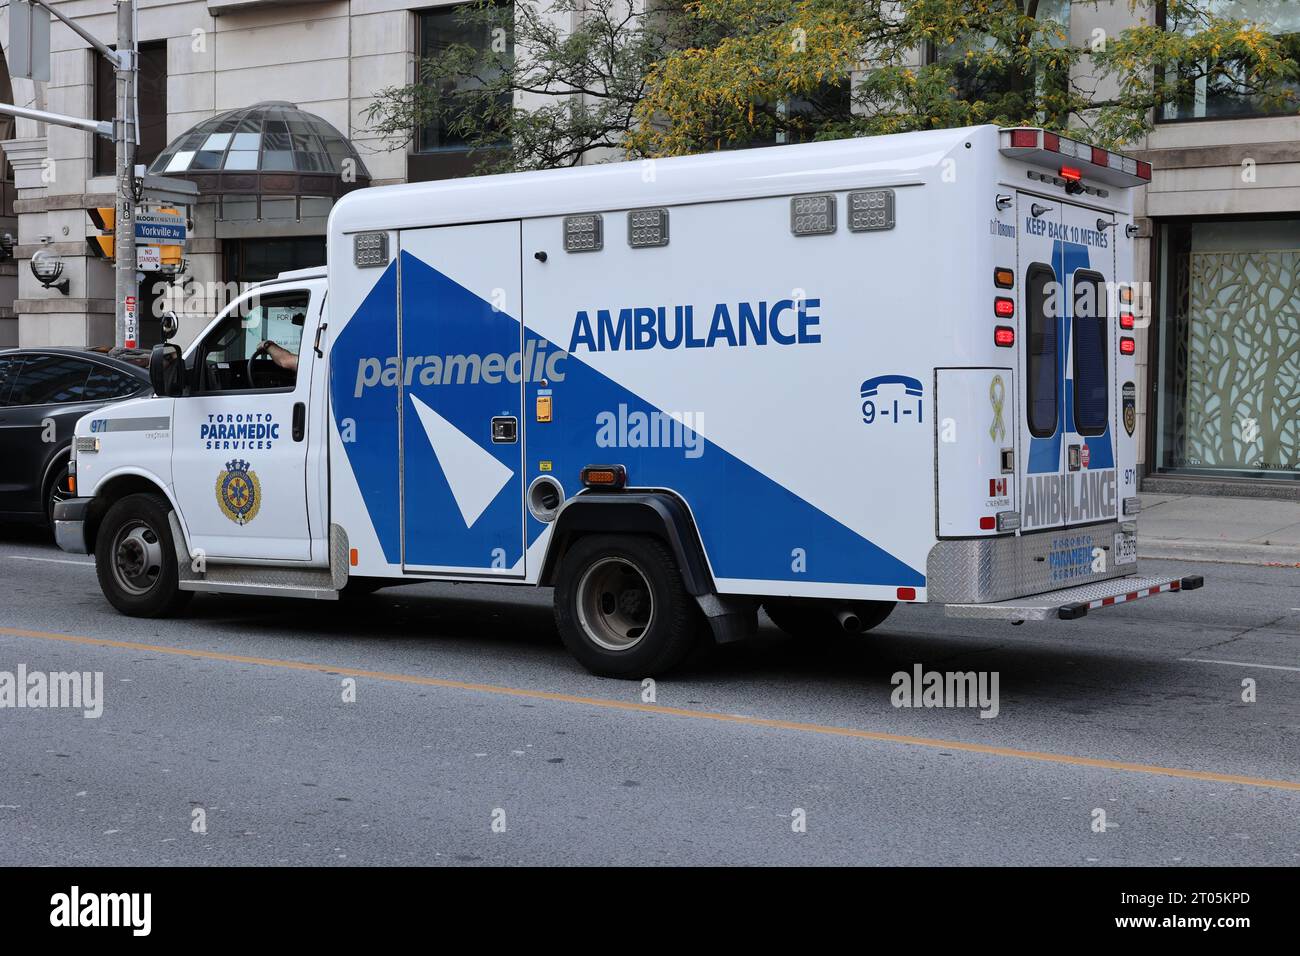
x=788 y=322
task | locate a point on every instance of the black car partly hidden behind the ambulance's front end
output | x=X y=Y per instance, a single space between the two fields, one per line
x=42 y=395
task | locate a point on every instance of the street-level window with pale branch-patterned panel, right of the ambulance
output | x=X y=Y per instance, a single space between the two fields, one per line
x=1229 y=399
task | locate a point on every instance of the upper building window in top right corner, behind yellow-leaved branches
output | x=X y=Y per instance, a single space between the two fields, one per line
x=1210 y=96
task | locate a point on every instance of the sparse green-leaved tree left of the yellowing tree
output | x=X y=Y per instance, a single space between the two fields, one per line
x=554 y=80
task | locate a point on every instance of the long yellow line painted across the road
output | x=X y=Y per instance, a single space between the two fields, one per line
x=1071 y=760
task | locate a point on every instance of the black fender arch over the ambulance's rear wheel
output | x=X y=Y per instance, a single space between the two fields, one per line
x=631 y=513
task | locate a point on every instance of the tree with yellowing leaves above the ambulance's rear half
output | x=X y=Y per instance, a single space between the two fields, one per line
x=924 y=64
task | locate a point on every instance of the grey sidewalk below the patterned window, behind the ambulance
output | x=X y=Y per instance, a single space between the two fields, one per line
x=1237 y=531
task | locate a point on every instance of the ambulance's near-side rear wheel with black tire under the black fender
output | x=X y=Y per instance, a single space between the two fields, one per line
x=625 y=590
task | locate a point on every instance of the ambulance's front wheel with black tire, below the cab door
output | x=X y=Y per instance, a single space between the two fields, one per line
x=136 y=559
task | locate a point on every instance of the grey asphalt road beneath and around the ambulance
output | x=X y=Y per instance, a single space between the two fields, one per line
x=475 y=739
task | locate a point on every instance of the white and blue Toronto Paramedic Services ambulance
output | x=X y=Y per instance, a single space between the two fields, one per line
x=821 y=380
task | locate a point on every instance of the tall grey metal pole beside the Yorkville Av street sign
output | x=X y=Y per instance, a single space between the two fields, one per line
x=124 y=226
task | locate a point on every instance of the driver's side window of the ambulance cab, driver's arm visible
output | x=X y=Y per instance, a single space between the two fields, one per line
x=257 y=347
